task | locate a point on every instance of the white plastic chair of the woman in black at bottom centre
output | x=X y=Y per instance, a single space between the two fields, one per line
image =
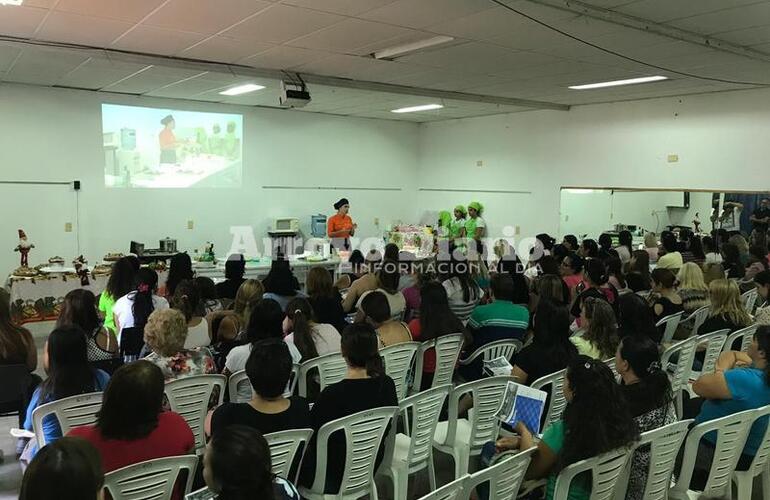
x=363 y=435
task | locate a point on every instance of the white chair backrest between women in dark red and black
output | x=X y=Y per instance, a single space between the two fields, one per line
x=190 y=396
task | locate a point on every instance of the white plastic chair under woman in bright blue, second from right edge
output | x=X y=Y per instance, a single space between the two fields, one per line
x=732 y=432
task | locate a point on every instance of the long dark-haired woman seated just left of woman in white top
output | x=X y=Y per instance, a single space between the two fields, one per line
x=79 y=308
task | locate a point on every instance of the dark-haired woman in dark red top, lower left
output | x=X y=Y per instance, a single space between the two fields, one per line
x=132 y=426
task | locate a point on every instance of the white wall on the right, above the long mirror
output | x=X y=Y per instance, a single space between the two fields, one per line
x=719 y=137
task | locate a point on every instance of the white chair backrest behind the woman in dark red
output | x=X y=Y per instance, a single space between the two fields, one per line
x=151 y=480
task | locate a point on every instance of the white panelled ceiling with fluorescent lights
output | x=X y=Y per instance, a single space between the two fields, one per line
x=496 y=53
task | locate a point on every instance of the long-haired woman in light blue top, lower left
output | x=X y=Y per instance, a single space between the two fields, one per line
x=65 y=361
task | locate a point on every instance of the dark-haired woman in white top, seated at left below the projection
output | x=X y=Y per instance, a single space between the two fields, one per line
x=133 y=309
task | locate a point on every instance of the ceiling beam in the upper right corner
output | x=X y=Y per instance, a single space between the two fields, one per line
x=641 y=24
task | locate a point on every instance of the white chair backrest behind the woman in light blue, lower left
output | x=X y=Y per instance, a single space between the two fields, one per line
x=74 y=411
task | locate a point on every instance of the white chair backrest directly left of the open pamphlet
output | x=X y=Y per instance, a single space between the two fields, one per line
x=487 y=395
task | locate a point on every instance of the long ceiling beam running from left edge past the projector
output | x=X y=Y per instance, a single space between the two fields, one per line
x=248 y=71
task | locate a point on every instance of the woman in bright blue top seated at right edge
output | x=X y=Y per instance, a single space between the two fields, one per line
x=741 y=381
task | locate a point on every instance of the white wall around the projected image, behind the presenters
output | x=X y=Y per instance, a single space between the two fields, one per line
x=55 y=135
